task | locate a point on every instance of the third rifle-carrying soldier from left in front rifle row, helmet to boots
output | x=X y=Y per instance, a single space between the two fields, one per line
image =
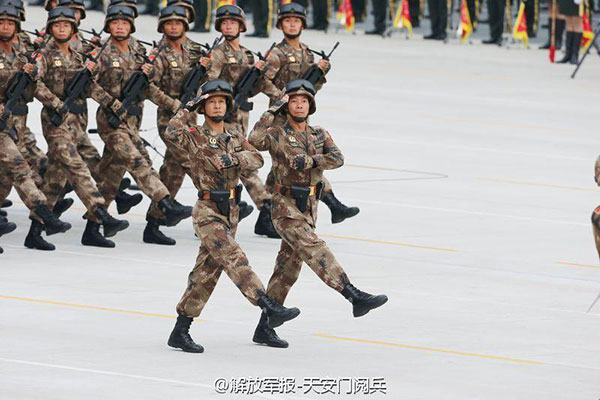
x=117 y=64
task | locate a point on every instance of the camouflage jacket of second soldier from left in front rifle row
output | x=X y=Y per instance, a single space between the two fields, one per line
x=55 y=70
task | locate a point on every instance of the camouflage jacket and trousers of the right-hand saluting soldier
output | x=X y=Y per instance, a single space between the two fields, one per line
x=297 y=229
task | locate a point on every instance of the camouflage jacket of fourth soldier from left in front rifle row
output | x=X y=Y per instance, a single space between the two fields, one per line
x=171 y=70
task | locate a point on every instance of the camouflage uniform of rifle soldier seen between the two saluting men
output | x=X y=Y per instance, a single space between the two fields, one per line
x=230 y=65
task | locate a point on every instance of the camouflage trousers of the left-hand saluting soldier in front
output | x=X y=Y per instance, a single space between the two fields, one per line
x=218 y=251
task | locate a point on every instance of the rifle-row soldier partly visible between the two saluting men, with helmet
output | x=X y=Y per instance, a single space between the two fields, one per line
x=230 y=61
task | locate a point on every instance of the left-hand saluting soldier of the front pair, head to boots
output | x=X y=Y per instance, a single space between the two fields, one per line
x=216 y=156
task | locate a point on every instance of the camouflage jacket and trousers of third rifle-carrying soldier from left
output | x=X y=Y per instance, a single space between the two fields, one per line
x=126 y=149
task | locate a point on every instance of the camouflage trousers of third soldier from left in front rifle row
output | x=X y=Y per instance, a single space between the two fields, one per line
x=126 y=153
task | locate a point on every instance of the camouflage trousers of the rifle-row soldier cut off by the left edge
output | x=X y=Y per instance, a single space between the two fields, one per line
x=14 y=171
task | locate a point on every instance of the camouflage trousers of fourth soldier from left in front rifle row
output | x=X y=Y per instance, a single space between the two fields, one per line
x=172 y=172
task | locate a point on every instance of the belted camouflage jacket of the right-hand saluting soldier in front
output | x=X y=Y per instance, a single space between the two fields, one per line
x=284 y=144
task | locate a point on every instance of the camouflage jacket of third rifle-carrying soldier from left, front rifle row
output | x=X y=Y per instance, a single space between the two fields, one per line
x=114 y=70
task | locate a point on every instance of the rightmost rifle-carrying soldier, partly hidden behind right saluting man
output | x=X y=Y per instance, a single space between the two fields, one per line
x=290 y=60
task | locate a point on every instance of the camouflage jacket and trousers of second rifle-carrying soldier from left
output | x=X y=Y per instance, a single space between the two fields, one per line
x=55 y=71
